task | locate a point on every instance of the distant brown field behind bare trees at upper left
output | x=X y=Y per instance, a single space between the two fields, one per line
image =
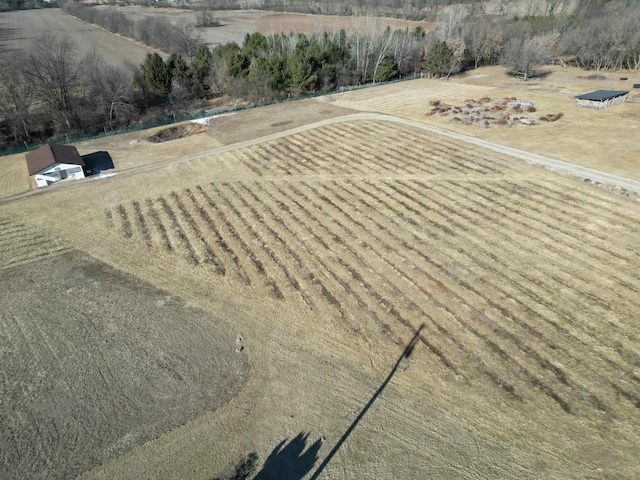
x=19 y=28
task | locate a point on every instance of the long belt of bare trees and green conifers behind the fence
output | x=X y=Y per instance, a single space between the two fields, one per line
x=52 y=92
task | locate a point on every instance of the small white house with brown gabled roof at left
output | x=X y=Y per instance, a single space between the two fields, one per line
x=52 y=163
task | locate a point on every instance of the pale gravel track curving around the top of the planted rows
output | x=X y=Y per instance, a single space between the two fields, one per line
x=531 y=158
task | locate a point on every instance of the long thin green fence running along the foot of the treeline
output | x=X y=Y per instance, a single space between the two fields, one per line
x=191 y=116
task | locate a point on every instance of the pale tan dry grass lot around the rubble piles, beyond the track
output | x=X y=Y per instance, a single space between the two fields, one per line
x=605 y=140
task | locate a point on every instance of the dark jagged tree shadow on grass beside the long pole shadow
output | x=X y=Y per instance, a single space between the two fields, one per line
x=290 y=461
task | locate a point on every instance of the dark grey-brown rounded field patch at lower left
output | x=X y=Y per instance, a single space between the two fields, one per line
x=99 y=364
